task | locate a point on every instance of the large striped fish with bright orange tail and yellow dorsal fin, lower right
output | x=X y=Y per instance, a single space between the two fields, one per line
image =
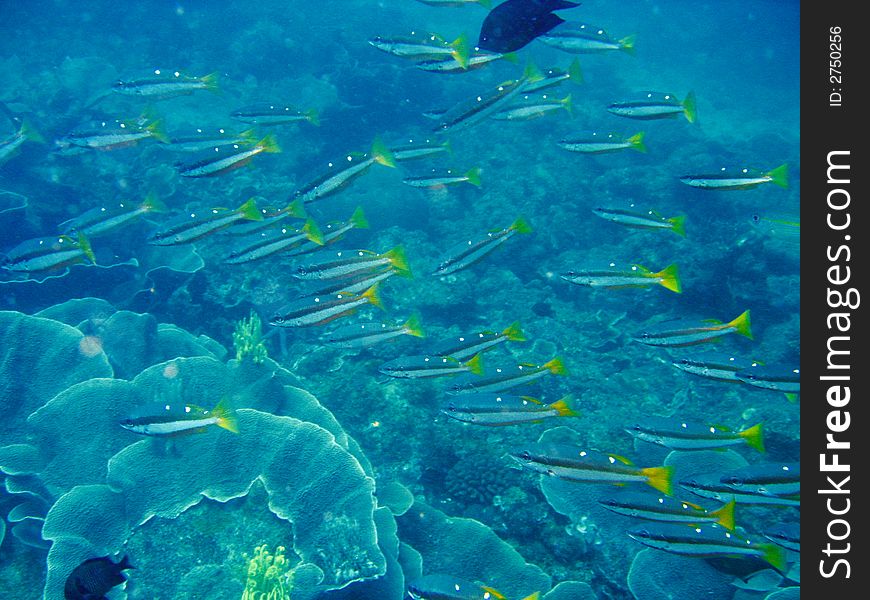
x=571 y=463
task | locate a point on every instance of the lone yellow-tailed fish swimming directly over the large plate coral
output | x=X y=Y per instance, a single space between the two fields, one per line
x=170 y=419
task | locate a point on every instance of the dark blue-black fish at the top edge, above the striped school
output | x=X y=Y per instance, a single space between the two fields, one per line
x=513 y=24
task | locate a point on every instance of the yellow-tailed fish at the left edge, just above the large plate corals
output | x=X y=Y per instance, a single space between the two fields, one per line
x=52 y=253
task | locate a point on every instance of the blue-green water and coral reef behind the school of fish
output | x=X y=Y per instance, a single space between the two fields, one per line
x=358 y=482
